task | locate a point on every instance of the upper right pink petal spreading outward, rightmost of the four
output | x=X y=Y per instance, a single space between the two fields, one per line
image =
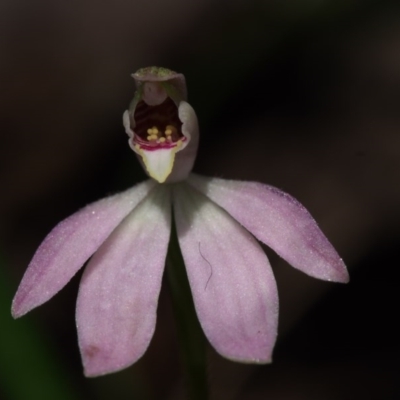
x=278 y=220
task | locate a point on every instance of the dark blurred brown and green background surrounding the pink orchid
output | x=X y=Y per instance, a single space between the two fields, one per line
x=300 y=94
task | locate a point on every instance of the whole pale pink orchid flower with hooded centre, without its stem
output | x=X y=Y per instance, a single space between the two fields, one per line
x=218 y=223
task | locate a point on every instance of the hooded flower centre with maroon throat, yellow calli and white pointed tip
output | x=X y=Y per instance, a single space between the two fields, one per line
x=161 y=125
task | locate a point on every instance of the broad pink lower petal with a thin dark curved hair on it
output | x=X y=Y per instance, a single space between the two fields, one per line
x=233 y=286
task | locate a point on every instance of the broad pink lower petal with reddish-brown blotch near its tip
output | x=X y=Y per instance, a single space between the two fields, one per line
x=118 y=295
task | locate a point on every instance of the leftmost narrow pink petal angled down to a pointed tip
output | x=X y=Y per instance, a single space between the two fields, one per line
x=70 y=244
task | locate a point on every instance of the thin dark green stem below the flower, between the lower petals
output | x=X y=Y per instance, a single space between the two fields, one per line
x=190 y=334
